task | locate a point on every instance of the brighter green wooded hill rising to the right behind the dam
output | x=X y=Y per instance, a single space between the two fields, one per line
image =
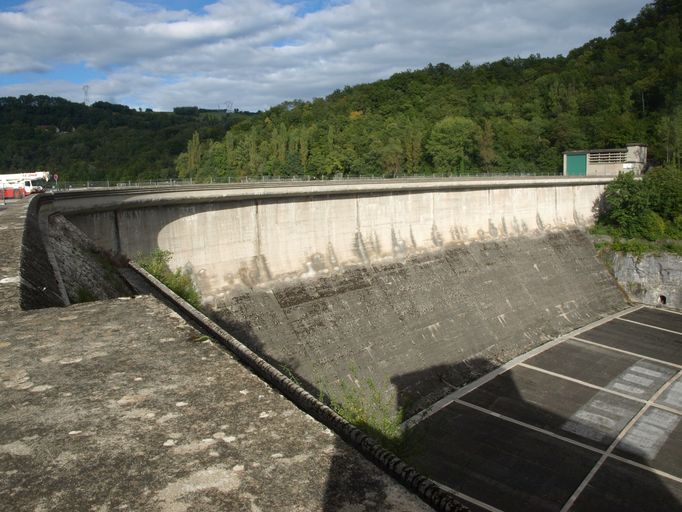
x=513 y=115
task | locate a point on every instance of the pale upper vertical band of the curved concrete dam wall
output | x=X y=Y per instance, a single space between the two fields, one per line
x=232 y=240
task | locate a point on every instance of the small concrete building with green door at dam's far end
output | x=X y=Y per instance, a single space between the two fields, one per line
x=605 y=162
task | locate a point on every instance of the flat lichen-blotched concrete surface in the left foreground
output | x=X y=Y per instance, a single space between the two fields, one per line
x=121 y=405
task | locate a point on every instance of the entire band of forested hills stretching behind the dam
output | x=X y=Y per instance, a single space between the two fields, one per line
x=513 y=115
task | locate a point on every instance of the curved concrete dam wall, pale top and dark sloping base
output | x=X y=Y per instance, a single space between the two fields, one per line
x=413 y=287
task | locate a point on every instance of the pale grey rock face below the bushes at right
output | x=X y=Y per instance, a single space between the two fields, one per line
x=650 y=279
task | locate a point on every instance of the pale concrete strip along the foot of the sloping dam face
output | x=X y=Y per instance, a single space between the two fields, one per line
x=455 y=395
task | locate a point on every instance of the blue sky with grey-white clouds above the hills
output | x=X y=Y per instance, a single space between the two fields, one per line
x=252 y=54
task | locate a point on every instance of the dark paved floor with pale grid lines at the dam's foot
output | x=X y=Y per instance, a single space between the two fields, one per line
x=590 y=422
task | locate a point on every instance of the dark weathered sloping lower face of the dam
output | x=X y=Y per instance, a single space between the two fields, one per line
x=417 y=328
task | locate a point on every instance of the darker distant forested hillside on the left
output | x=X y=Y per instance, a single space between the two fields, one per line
x=101 y=141
